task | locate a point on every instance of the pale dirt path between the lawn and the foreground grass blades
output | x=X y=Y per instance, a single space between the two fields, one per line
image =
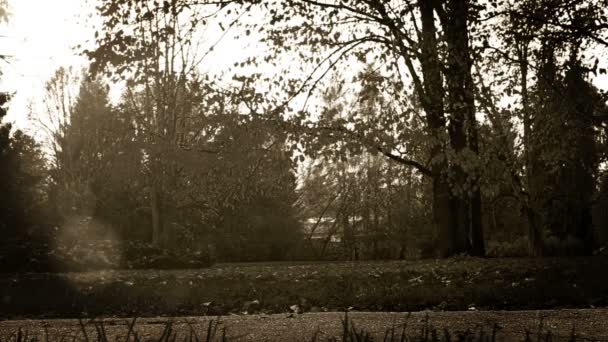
x=589 y=324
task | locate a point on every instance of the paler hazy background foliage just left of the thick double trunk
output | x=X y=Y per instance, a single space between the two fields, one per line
x=373 y=208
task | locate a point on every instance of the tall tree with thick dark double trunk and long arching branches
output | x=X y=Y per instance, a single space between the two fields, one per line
x=407 y=35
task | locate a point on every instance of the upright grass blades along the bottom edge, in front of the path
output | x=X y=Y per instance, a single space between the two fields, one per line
x=95 y=330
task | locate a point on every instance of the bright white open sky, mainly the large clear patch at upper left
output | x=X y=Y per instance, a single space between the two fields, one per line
x=41 y=37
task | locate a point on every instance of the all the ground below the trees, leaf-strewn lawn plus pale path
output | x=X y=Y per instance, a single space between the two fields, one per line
x=265 y=298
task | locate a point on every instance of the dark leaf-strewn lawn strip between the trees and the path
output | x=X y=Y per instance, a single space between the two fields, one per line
x=461 y=283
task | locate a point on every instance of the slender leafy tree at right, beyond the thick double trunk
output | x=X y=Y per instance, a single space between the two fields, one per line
x=524 y=29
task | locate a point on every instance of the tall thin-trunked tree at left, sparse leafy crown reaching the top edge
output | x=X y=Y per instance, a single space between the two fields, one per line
x=157 y=53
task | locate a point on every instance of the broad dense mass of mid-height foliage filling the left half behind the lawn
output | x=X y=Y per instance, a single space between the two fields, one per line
x=220 y=174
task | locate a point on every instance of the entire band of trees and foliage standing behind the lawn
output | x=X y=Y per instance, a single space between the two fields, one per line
x=439 y=126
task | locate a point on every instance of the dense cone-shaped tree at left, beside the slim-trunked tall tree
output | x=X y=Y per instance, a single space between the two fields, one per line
x=99 y=159
